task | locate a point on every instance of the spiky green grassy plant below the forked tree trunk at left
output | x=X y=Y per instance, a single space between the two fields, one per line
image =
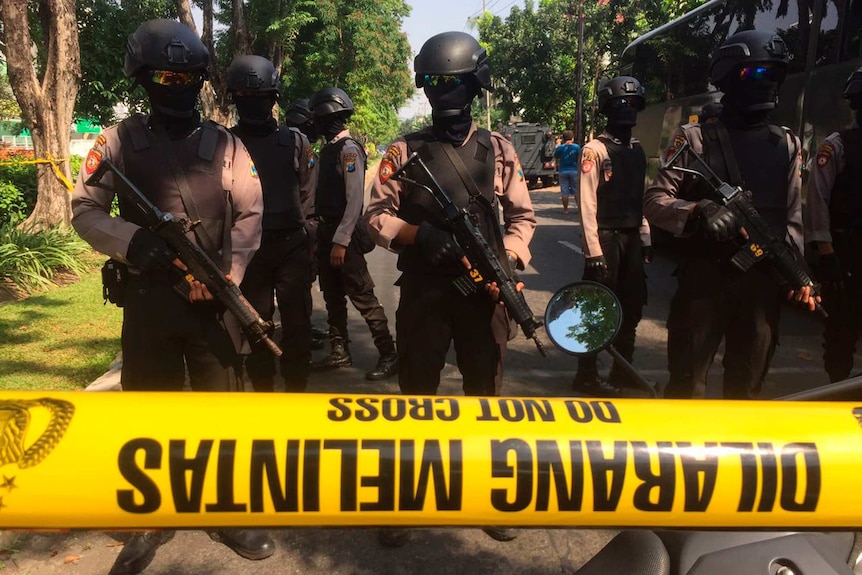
x=29 y=259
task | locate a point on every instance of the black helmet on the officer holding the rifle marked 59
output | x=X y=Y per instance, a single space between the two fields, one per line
x=745 y=48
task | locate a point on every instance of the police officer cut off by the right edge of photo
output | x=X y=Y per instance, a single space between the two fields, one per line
x=834 y=223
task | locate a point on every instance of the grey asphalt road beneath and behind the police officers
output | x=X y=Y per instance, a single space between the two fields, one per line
x=556 y=262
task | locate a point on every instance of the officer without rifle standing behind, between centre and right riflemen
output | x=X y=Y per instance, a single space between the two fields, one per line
x=616 y=236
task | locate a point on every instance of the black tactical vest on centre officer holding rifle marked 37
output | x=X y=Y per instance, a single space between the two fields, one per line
x=417 y=204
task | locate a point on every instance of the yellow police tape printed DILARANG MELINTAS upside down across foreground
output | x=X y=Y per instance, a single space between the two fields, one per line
x=126 y=460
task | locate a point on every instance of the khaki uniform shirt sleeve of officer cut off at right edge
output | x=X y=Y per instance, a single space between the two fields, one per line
x=827 y=164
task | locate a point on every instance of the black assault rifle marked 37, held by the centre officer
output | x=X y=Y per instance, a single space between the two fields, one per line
x=485 y=265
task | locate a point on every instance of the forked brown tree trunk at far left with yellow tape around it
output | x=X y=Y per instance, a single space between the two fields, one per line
x=47 y=105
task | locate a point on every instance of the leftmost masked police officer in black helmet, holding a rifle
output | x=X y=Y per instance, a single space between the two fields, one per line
x=191 y=169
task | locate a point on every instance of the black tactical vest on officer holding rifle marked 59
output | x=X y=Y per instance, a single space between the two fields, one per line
x=763 y=160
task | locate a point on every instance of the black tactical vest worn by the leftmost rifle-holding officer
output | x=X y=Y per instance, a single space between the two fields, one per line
x=202 y=156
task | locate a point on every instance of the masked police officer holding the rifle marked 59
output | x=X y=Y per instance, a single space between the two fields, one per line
x=714 y=300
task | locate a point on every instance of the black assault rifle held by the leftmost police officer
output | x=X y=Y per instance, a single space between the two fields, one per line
x=200 y=266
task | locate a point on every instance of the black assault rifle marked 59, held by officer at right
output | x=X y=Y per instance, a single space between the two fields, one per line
x=762 y=243
